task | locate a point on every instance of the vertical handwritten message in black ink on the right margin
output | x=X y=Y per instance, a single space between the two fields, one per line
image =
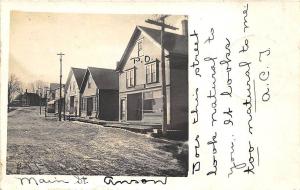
x=225 y=69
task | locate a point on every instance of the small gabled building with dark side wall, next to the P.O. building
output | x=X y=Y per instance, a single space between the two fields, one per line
x=99 y=94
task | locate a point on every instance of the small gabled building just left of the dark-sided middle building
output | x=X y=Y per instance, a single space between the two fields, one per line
x=72 y=89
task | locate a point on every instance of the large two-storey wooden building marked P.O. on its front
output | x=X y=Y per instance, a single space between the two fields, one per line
x=140 y=79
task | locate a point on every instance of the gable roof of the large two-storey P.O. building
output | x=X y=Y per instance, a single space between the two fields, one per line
x=174 y=43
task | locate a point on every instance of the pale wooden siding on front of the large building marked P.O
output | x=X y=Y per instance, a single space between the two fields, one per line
x=151 y=53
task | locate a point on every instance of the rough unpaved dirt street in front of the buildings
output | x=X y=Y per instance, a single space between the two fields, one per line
x=39 y=145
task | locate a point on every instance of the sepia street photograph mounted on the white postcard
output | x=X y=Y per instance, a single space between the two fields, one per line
x=97 y=94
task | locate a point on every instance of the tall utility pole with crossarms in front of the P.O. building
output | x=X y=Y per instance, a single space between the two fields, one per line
x=161 y=22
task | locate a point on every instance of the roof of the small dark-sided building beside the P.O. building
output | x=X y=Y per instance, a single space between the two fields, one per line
x=105 y=79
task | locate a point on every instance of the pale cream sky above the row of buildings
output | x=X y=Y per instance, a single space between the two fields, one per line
x=97 y=40
